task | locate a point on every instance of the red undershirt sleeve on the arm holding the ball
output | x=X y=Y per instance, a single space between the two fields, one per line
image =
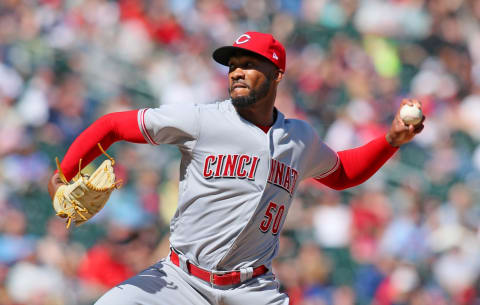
x=359 y=164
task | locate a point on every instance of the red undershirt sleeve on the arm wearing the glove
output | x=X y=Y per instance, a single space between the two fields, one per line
x=106 y=130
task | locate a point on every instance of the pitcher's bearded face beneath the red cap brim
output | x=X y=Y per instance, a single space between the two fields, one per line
x=250 y=79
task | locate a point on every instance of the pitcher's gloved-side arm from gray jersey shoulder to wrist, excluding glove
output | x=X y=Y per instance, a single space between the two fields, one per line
x=167 y=124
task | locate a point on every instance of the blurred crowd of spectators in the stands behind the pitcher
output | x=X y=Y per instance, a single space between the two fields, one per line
x=410 y=235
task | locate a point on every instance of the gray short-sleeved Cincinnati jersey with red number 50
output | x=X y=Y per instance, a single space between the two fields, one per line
x=236 y=181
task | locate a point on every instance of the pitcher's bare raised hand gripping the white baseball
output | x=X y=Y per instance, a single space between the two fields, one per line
x=399 y=132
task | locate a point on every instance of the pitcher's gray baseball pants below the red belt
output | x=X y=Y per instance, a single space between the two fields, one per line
x=166 y=284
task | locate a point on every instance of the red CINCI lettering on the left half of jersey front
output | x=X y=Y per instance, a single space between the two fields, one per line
x=230 y=166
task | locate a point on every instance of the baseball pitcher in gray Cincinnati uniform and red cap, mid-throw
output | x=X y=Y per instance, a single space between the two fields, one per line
x=242 y=161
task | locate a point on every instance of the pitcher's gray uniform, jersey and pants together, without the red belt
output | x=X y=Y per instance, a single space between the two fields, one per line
x=236 y=186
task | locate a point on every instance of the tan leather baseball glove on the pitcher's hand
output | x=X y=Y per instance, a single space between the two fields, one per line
x=86 y=195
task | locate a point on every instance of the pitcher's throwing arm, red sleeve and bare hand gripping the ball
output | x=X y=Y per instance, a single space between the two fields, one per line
x=358 y=164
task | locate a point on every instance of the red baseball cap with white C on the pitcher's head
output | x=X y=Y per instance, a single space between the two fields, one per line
x=259 y=43
